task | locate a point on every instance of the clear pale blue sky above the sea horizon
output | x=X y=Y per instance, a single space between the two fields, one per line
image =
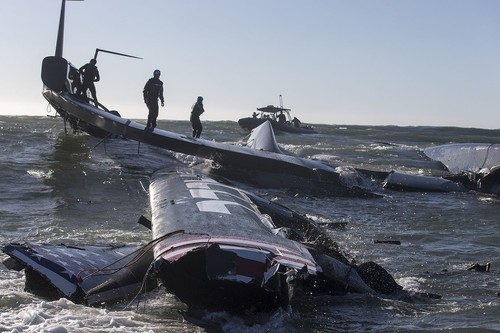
x=365 y=62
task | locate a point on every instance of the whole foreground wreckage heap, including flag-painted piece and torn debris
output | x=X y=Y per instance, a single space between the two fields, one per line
x=212 y=247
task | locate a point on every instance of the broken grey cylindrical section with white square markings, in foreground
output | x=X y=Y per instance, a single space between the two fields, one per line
x=227 y=256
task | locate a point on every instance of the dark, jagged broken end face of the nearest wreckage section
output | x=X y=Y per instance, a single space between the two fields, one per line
x=217 y=279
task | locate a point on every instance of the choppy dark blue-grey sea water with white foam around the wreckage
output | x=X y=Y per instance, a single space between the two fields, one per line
x=76 y=189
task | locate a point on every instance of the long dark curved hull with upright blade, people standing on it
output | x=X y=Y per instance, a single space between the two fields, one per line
x=58 y=77
